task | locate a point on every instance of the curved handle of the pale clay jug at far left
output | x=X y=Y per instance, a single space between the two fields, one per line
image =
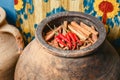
x=15 y=32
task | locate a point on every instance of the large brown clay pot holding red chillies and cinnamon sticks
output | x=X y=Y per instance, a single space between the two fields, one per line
x=40 y=61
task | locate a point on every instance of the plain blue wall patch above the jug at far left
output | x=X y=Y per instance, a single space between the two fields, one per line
x=8 y=5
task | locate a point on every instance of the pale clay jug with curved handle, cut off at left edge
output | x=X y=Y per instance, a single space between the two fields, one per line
x=11 y=45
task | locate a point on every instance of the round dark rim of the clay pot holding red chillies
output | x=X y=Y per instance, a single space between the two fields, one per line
x=71 y=53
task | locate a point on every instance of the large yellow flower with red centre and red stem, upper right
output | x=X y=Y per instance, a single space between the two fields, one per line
x=106 y=9
